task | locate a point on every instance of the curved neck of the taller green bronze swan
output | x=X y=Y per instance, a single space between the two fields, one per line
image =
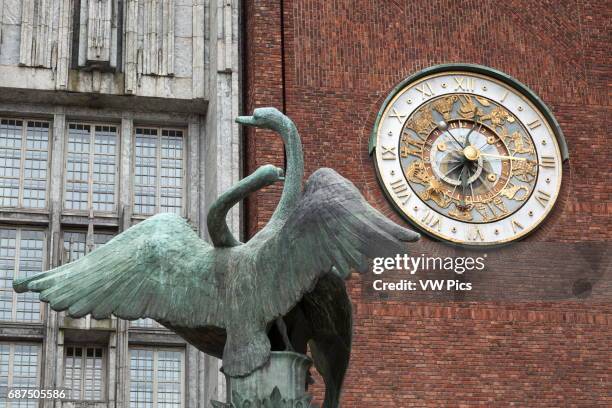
x=294 y=173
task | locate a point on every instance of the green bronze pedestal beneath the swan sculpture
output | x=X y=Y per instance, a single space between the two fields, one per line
x=280 y=383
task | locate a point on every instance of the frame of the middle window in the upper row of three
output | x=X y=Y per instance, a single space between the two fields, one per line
x=90 y=181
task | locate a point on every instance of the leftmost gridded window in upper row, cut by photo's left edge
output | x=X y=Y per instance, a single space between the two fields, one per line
x=24 y=158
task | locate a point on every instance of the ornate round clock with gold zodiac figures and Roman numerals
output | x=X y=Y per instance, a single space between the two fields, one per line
x=467 y=157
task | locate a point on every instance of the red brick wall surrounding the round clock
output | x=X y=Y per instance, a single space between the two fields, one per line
x=341 y=58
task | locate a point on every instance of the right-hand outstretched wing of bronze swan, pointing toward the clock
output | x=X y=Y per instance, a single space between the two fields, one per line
x=332 y=226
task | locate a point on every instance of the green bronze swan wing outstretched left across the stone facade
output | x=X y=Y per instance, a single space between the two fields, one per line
x=154 y=269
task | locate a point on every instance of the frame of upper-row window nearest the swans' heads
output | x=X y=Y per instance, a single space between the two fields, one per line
x=184 y=197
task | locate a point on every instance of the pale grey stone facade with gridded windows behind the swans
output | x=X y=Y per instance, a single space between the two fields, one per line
x=126 y=75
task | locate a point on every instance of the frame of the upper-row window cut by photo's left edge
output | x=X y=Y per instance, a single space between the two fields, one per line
x=24 y=131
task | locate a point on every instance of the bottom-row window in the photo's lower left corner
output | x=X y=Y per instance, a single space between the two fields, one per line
x=18 y=370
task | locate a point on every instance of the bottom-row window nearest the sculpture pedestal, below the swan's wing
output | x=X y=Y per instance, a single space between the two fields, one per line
x=156 y=378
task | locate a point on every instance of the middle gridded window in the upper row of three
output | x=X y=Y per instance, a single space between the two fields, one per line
x=91 y=167
